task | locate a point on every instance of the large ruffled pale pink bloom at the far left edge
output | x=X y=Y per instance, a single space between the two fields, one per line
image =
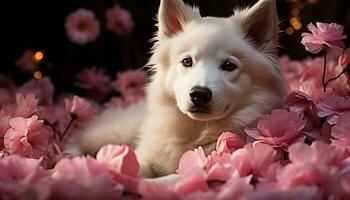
x=27 y=137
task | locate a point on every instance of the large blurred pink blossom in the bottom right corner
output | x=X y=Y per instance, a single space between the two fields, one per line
x=315 y=165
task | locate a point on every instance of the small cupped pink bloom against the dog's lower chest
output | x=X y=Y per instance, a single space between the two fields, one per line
x=228 y=143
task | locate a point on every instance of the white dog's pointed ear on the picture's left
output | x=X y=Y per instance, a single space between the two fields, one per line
x=172 y=16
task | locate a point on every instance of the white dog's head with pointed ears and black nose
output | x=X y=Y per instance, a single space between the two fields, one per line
x=212 y=66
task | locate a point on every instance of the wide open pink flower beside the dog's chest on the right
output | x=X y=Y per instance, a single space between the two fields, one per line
x=279 y=129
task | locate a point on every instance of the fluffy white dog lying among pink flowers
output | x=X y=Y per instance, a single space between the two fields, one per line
x=210 y=75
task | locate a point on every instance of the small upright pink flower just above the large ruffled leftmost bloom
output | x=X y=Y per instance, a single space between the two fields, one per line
x=26 y=106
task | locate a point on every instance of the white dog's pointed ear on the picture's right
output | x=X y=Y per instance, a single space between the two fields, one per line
x=260 y=25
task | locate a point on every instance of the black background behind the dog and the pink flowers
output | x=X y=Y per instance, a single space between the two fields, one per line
x=39 y=25
